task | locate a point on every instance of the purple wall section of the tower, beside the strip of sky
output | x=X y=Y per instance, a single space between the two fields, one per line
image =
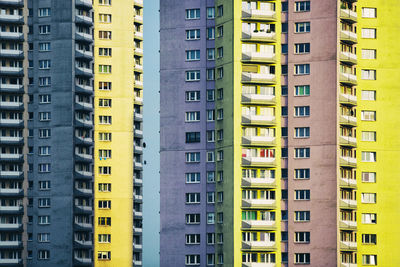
x=174 y=249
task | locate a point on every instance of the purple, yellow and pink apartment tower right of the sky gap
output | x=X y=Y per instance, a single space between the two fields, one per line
x=294 y=118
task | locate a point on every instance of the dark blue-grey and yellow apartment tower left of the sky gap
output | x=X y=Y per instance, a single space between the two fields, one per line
x=71 y=78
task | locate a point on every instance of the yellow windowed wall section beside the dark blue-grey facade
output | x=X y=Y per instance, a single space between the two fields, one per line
x=114 y=243
